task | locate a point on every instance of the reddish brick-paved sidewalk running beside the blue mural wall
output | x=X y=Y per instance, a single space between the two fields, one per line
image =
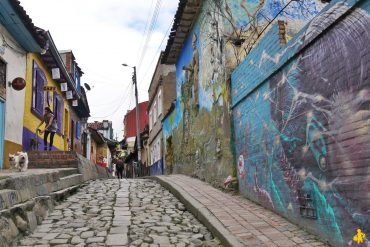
x=253 y=224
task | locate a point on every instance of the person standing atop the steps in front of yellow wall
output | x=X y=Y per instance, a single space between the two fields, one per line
x=51 y=127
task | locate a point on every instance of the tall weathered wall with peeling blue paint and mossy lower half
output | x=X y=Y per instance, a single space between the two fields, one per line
x=223 y=34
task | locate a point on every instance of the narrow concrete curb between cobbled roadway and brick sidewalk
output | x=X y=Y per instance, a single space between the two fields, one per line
x=200 y=212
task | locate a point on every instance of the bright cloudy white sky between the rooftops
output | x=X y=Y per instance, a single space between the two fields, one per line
x=102 y=36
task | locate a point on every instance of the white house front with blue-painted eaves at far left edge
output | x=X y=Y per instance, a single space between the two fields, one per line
x=18 y=37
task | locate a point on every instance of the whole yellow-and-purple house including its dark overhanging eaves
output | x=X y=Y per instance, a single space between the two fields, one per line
x=53 y=80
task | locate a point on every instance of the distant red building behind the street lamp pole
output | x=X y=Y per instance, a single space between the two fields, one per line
x=129 y=122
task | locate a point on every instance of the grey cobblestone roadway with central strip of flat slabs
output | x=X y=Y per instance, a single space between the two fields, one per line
x=120 y=213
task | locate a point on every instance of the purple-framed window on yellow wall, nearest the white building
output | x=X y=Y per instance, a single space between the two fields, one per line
x=38 y=83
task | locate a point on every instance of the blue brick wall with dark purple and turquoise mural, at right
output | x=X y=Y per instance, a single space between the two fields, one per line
x=301 y=114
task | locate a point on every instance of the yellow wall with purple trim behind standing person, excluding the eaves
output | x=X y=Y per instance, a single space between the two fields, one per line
x=42 y=91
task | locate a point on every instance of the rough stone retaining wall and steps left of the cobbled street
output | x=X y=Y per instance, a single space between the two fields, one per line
x=27 y=198
